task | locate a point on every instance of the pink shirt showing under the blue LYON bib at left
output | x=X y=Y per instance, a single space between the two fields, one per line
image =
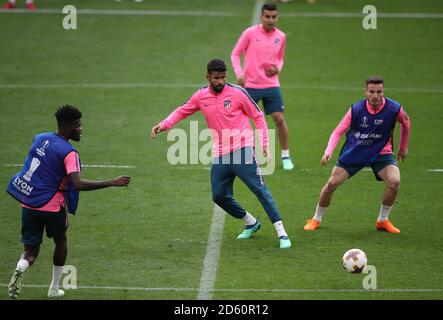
x=72 y=164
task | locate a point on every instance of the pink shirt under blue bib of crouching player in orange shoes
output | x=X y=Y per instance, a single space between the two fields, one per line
x=345 y=124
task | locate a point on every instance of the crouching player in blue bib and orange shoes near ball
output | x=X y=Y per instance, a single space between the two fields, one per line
x=369 y=126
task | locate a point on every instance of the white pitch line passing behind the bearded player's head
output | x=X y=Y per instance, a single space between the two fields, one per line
x=196 y=85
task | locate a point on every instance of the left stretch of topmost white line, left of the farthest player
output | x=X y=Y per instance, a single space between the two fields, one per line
x=181 y=13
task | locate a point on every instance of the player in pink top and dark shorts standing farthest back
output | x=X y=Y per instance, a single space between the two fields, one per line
x=263 y=47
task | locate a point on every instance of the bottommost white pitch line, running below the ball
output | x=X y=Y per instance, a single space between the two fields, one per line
x=290 y=290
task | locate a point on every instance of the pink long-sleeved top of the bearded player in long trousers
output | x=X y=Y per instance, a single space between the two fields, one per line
x=227 y=114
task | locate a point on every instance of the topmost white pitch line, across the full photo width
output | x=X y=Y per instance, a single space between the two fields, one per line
x=196 y=13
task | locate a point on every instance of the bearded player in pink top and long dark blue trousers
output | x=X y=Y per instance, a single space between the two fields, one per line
x=227 y=109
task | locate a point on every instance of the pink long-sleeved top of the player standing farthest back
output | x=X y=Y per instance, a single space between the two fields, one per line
x=261 y=49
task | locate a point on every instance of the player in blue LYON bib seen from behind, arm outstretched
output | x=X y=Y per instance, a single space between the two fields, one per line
x=47 y=187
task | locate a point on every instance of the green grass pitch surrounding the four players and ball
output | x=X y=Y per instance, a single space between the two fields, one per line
x=154 y=233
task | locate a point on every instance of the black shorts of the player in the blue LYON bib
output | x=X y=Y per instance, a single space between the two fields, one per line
x=34 y=222
